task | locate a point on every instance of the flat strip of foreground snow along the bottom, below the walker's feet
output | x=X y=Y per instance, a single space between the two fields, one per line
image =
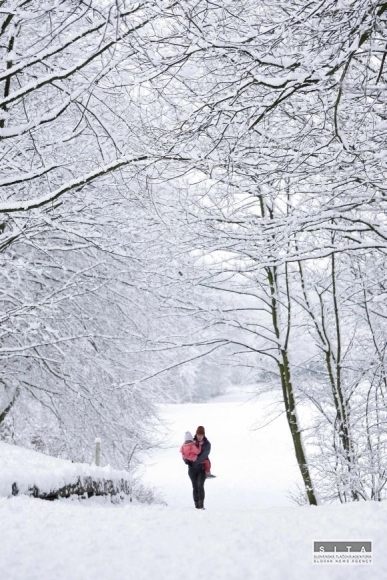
x=67 y=541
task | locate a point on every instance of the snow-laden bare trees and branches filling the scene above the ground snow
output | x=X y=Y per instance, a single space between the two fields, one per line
x=194 y=194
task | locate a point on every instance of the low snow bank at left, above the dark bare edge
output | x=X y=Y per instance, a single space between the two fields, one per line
x=28 y=469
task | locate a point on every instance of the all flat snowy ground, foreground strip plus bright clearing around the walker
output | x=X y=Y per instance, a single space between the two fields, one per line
x=249 y=530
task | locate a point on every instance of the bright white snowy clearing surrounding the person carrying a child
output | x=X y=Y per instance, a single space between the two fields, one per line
x=254 y=467
